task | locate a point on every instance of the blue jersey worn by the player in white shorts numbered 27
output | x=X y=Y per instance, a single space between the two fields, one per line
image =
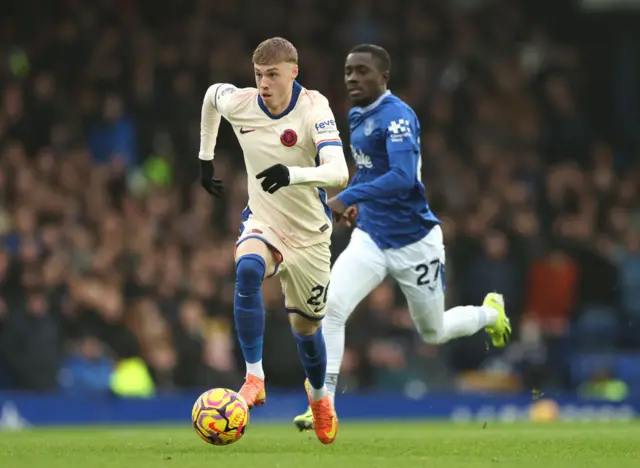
x=385 y=143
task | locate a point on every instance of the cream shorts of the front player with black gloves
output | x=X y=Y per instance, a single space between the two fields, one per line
x=303 y=271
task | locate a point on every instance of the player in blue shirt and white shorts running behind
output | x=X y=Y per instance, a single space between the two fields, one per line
x=396 y=233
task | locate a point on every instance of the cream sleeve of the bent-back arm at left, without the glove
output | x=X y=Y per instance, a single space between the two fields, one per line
x=216 y=104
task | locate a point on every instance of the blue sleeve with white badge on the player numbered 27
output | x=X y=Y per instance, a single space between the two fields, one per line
x=404 y=159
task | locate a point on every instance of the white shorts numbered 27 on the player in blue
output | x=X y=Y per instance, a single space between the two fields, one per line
x=418 y=268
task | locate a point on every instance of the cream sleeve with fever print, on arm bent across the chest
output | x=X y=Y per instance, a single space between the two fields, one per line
x=331 y=167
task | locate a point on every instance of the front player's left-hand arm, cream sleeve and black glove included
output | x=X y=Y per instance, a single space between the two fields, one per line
x=215 y=105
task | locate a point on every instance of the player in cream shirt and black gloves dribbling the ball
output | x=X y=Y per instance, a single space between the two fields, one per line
x=292 y=149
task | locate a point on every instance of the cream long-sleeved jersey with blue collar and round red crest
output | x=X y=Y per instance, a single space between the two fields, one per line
x=304 y=137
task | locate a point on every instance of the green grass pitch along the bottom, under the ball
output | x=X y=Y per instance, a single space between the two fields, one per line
x=370 y=445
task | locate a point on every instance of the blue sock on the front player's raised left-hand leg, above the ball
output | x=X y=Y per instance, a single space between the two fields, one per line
x=248 y=310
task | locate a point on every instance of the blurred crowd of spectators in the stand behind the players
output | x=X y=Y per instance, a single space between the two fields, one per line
x=110 y=251
